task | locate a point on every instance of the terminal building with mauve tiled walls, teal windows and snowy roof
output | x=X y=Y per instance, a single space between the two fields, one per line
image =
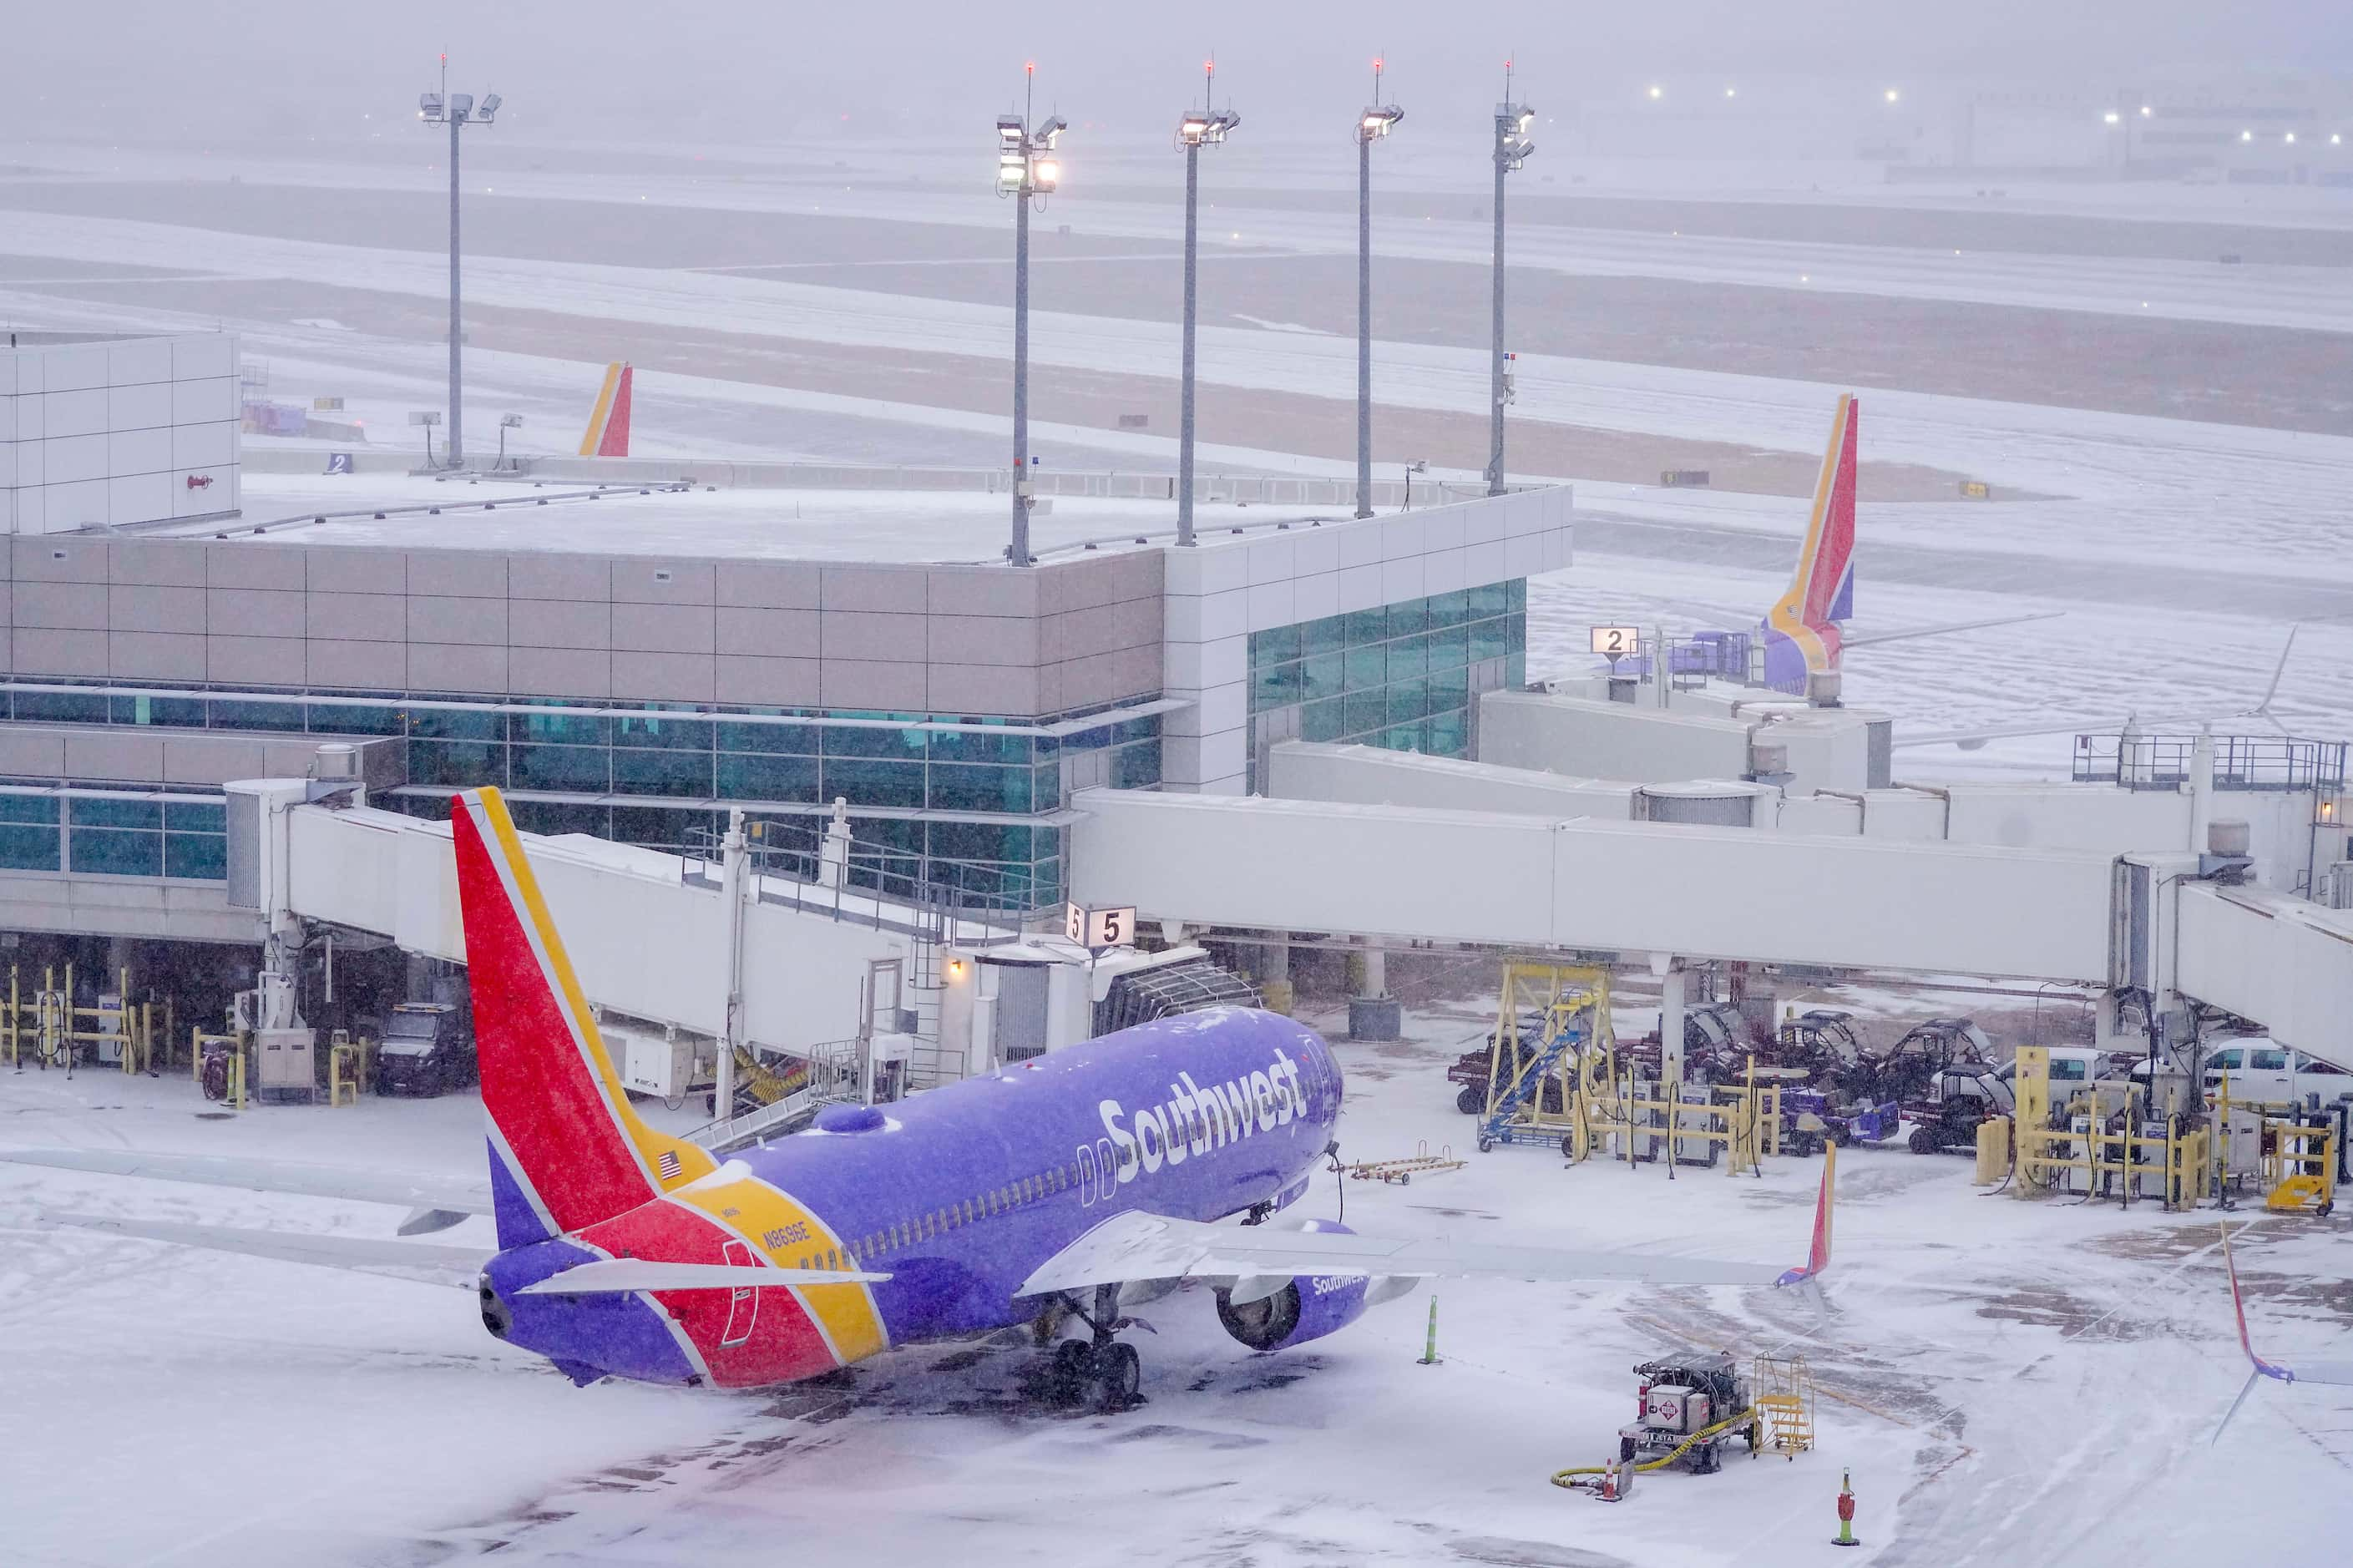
x=667 y=656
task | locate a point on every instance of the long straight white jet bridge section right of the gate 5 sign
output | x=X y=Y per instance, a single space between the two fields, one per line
x=1611 y=886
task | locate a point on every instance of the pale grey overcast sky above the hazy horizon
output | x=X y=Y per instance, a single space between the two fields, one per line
x=281 y=67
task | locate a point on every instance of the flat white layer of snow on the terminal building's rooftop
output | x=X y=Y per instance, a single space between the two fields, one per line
x=909 y=526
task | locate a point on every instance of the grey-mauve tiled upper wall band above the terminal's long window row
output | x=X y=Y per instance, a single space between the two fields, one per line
x=792 y=634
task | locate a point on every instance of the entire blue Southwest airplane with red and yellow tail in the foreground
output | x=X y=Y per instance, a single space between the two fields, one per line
x=1048 y=1195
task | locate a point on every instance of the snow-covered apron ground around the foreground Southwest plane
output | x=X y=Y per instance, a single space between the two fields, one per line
x=2004 y=1381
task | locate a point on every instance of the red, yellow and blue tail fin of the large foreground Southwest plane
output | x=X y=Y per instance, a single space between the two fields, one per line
x=566 y=1148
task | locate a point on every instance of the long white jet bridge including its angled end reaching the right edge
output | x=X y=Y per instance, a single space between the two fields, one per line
x=1575 y=884
